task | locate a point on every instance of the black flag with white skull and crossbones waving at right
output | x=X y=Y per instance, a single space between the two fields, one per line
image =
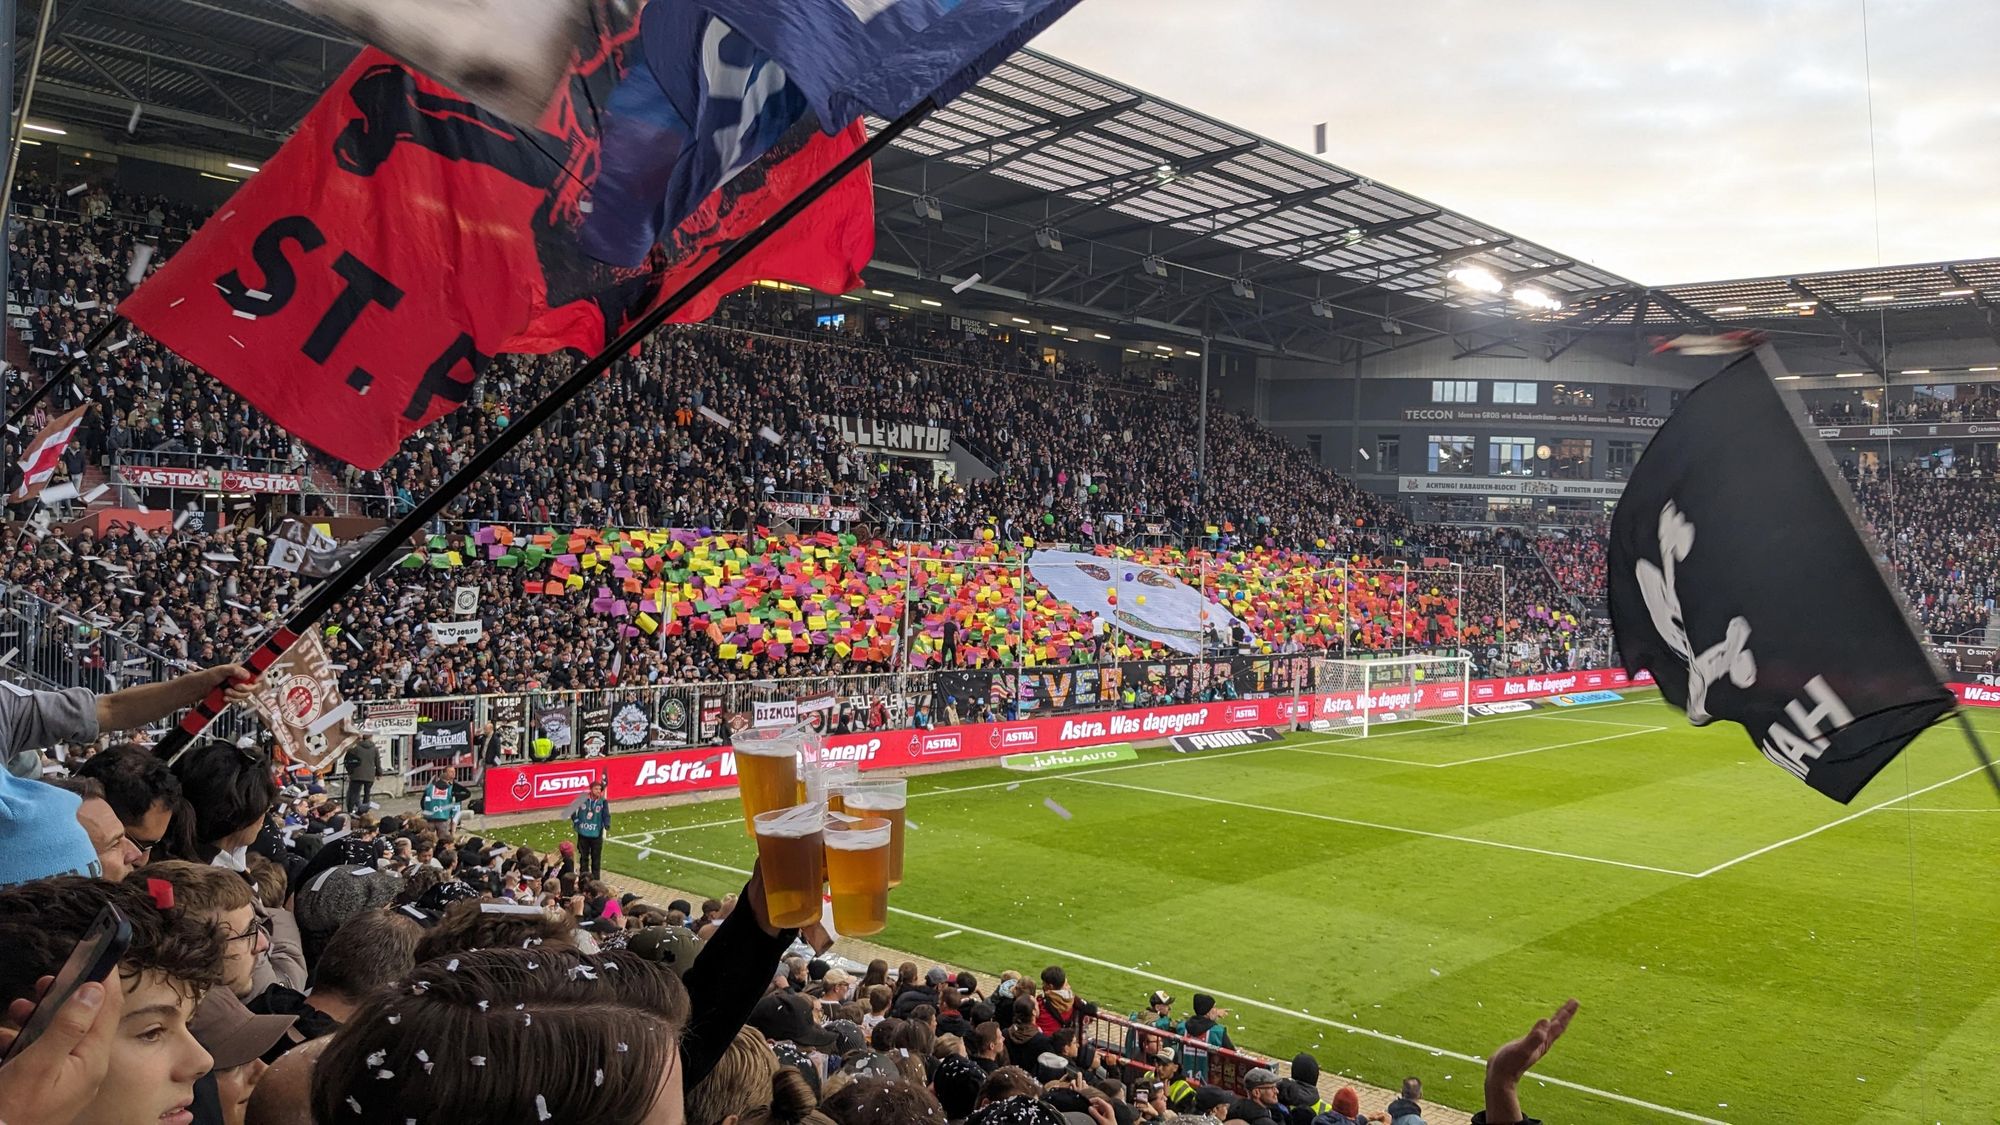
x=1743 y=582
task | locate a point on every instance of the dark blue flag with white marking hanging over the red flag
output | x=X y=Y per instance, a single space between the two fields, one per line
x=699 y=105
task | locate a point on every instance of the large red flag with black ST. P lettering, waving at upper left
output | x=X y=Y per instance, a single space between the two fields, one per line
x=357 y=287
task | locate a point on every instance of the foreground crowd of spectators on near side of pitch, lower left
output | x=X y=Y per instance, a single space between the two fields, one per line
x=287 y=960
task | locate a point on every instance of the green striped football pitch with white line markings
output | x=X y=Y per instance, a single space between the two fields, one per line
x=1743 y=948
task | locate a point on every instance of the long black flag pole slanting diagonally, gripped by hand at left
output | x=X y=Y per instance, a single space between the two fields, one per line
x=385 y=549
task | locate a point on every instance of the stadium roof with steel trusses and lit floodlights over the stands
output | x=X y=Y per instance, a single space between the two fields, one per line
x=1169 y=221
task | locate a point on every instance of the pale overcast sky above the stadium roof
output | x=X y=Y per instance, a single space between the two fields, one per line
x=1663 y=141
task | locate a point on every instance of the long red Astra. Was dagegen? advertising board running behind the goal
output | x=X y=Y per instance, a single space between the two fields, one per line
x=671 y=774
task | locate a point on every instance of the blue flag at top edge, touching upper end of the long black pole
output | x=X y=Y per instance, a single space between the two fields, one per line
x=885 y=57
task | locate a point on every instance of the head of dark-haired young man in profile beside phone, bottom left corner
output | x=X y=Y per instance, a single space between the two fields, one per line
x=167 y=968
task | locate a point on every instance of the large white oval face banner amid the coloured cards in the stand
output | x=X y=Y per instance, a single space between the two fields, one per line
x=1143 y=602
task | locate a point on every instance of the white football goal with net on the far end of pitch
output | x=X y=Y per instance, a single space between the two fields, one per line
x=1357 y=698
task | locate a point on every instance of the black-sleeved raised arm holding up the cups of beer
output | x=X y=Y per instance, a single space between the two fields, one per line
x=729 y=980
